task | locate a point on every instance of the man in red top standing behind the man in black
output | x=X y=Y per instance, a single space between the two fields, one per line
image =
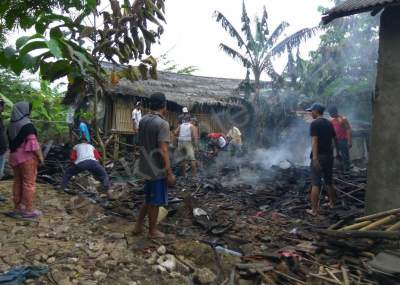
x=344 y=135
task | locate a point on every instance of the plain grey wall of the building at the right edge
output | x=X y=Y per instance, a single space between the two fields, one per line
x=383 y=190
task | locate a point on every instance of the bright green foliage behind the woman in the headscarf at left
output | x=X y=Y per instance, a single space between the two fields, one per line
x=47 y=111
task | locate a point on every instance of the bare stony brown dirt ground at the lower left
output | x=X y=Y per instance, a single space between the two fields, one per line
x=76 y=240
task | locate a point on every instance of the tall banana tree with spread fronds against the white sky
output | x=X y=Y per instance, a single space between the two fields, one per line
x=258 y=47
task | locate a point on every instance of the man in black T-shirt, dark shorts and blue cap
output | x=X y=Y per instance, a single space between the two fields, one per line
x=322 y=138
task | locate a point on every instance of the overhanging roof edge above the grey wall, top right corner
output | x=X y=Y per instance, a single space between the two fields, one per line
x=352 y=7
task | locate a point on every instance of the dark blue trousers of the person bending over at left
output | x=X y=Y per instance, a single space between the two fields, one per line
x=93 y=166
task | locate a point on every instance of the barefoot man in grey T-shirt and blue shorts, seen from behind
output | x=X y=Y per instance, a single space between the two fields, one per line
x=154 y=163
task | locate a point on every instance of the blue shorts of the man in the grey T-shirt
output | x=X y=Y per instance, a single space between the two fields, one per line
x=156 y=192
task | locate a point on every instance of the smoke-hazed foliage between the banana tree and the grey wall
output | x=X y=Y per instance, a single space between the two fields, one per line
x=342 y=70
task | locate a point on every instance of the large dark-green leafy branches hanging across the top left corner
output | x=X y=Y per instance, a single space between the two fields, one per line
x=58 y=48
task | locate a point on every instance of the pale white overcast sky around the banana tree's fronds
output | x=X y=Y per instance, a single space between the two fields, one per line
x=192 y=35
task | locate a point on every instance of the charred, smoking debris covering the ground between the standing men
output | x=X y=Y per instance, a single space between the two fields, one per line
x=244 y=220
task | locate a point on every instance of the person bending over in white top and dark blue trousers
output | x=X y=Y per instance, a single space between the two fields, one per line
x=85 y=158
